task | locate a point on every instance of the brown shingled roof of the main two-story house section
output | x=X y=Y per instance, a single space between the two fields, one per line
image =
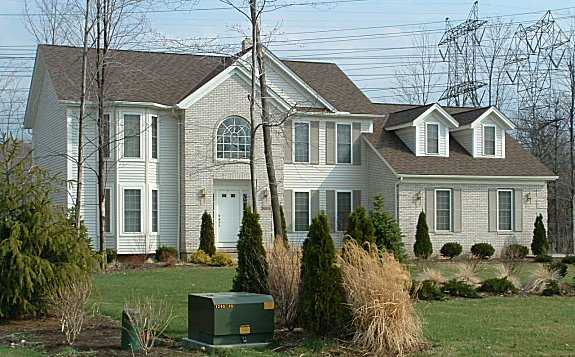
x=168 y=78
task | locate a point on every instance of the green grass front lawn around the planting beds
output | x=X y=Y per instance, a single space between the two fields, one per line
x=493 y=326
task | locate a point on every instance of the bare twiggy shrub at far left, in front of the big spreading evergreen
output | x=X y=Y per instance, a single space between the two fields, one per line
x=69 y=305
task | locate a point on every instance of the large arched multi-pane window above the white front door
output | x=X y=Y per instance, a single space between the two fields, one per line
x=234 y=139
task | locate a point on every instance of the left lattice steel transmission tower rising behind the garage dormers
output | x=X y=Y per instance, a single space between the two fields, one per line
x=461 y=45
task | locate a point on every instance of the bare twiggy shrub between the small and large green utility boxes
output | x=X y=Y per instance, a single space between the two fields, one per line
x=149 y=318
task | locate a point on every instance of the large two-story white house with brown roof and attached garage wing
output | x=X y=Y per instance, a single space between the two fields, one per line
x=180 y=141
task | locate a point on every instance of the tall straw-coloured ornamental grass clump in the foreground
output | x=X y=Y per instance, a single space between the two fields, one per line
x=377 y=289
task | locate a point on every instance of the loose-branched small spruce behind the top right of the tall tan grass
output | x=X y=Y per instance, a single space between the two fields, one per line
x=388 y=235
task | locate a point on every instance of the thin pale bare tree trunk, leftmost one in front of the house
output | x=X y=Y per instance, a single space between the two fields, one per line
x=79 y=177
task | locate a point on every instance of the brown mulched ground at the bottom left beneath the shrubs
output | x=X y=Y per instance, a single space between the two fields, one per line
x=101 y=336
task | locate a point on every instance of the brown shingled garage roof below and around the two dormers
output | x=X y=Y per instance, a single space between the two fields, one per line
x=517 y=162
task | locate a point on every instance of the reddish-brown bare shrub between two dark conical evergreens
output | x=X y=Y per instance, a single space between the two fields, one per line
x=284 y=281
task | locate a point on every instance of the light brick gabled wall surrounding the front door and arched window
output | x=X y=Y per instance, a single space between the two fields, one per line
x=199 y=167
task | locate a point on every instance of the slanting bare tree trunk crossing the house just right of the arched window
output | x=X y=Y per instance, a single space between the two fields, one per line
x=266 y=127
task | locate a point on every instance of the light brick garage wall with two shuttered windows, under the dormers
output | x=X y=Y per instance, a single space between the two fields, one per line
x=474 y=207
